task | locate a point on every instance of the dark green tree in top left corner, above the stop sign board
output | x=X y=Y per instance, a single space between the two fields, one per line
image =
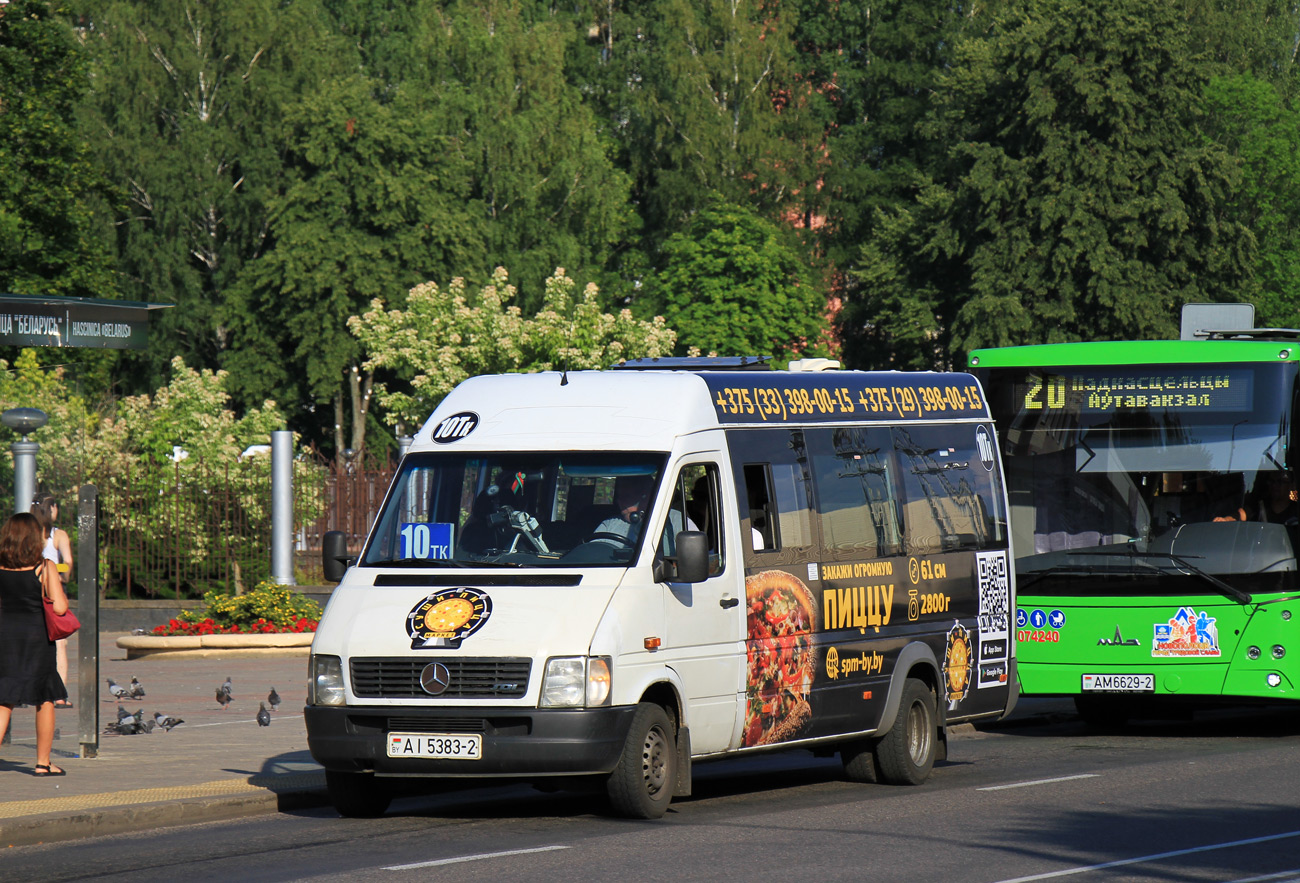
x=50 y=237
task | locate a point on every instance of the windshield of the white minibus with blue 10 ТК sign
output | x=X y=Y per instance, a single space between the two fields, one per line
x=515 y=510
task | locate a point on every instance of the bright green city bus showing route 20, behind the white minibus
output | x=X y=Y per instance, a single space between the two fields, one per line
x=1154 y=518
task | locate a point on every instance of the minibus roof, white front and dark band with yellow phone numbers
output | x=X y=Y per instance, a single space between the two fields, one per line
x=648 y=410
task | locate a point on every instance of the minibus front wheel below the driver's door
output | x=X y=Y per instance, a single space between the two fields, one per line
x=643 y=784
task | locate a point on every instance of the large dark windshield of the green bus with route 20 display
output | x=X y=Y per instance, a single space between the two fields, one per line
x=1139 y=470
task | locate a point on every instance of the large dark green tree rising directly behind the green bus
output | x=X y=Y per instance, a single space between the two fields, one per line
x=1078 y=200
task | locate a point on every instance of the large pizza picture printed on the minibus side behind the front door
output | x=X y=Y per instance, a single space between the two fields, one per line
x=779 y=657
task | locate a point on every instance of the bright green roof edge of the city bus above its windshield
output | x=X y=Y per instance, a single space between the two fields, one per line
x=1136 y=353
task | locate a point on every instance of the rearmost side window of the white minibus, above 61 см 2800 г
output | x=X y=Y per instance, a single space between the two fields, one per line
x=952 y=500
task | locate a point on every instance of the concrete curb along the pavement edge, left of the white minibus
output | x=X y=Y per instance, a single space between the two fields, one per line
x=281 y=795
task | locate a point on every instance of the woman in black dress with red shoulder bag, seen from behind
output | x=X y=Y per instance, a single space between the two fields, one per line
x=28 y=674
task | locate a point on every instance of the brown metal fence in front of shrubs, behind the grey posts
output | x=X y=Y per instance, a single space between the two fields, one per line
x=185 y=529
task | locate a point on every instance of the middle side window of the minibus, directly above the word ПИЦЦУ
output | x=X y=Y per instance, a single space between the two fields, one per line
x=853 y=470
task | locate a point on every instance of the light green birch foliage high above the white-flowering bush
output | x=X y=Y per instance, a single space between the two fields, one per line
x=541 y=170
